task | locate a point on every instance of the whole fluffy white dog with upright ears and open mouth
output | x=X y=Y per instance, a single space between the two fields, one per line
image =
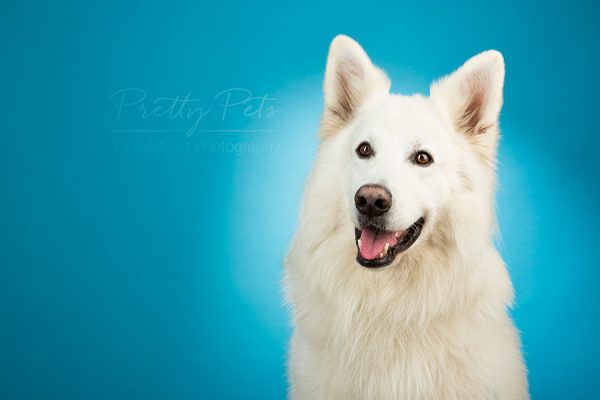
x=396 y=288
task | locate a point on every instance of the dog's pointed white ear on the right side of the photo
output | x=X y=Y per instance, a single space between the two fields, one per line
x=472 y=96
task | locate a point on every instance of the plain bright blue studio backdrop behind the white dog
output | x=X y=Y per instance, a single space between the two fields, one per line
x=147 y=265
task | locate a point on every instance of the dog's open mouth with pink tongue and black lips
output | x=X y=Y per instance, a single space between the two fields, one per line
x=378 y=248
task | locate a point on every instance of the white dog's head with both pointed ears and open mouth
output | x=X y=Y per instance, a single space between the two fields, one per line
x=407 y=157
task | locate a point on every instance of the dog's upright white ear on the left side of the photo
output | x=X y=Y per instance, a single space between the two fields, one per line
x=350 y=78
